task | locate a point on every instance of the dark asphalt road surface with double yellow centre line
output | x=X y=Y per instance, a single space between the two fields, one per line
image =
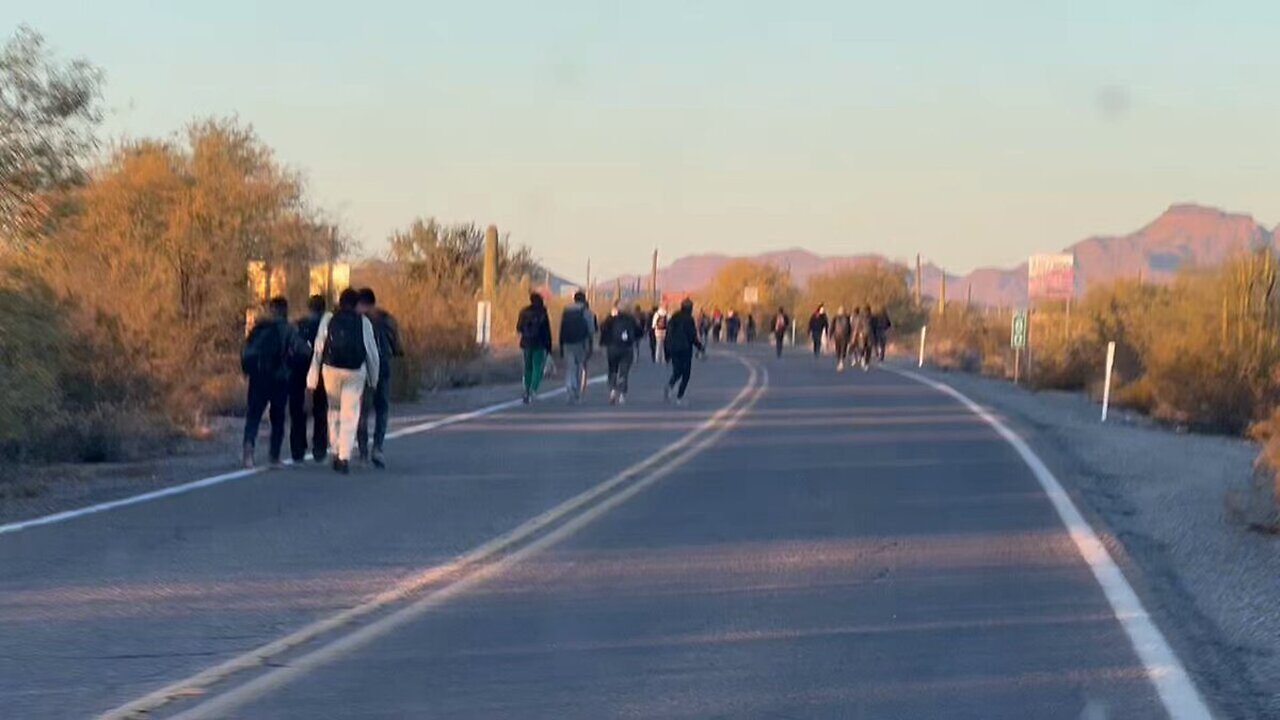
x=793 y=544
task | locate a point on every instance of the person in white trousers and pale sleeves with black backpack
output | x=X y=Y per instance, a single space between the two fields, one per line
x=346 y=361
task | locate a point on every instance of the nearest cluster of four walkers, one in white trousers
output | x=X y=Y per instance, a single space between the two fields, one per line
x=341 y=361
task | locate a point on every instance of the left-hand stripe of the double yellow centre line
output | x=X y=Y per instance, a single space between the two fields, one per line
x=257 y=658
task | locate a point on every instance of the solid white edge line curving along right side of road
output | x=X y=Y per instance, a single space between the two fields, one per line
x=1177 y=691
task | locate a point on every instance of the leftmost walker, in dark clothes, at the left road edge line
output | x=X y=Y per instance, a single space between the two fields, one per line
x=271 y=352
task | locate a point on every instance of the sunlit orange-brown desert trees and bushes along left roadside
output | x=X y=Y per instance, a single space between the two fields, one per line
x=124 y=268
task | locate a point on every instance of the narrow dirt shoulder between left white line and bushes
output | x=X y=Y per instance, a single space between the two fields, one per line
x=36 y=491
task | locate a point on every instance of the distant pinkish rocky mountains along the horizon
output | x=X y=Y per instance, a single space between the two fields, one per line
x=1183 y=236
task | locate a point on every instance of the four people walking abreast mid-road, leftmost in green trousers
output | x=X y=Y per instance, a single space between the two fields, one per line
x=673 y=339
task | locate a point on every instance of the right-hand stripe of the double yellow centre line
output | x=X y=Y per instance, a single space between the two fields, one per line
x=278 y=677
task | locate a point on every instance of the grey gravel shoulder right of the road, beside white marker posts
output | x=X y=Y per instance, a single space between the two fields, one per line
x=1159 y=499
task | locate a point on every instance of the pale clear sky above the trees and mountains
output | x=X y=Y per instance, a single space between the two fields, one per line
x=972 y=133
